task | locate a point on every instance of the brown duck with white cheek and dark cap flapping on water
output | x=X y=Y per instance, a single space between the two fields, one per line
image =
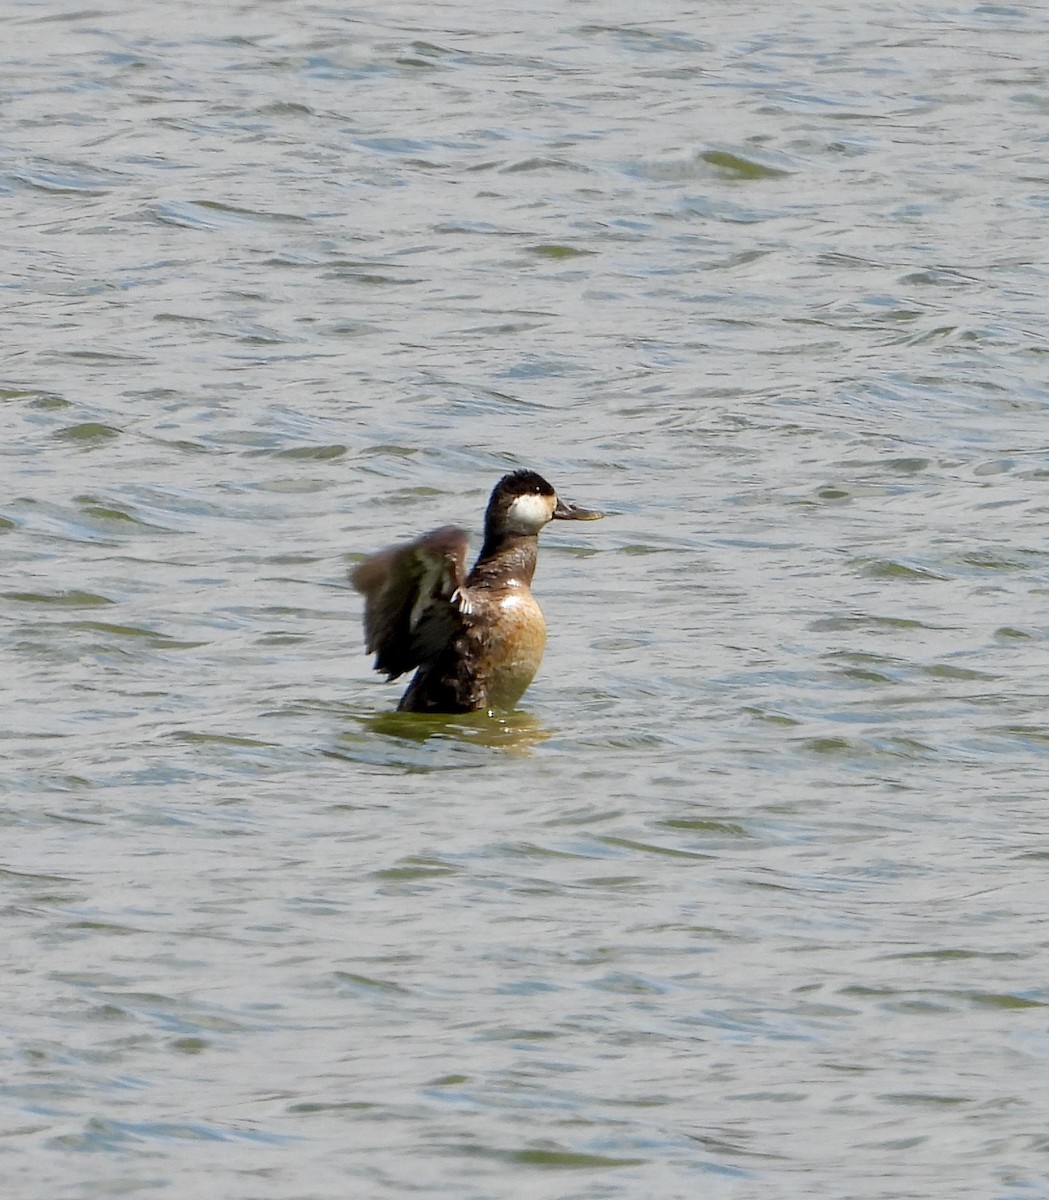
x=476 y=640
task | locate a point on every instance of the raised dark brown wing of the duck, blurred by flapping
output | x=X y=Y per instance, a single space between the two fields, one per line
x=412 y=599
